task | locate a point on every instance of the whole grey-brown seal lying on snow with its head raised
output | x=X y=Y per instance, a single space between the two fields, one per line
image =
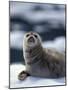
x=39 y=61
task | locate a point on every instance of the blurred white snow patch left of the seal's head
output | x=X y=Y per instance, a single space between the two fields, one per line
x=16 y=39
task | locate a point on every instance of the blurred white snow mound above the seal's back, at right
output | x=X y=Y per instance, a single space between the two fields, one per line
x=58 y=43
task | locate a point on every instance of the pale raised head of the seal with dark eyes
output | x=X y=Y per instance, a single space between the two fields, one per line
x=31 y=39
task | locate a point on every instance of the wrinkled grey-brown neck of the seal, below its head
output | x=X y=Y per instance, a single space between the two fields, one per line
x=33 y=55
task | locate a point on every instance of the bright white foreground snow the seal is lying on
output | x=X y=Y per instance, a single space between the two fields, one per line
x=30 y=81
